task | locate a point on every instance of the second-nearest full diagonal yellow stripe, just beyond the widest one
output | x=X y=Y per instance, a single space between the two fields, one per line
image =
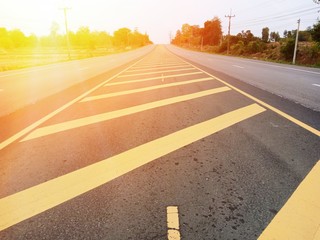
x=39 y=132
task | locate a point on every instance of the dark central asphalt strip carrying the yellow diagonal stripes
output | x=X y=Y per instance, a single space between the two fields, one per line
x=114 y=156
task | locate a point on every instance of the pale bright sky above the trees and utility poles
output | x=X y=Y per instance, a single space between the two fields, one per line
x=157 y=18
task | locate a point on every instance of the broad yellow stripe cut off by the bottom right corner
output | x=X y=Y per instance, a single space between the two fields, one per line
x=299 y=218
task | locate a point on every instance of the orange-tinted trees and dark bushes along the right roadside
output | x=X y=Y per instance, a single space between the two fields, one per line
x=269 y=46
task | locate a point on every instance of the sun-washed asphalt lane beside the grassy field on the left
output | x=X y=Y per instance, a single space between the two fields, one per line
x=20 y=88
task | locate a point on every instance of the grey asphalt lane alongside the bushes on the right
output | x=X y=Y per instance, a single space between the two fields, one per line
x=295 y=83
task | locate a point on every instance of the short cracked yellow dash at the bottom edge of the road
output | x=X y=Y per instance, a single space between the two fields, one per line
x=173 y=223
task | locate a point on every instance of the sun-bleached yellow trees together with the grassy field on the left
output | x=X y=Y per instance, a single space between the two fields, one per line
x=18 y=50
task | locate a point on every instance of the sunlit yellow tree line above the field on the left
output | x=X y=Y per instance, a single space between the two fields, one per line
x=82 y=38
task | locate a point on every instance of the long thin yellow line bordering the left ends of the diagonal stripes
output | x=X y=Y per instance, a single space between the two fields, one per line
x=47 y=117
